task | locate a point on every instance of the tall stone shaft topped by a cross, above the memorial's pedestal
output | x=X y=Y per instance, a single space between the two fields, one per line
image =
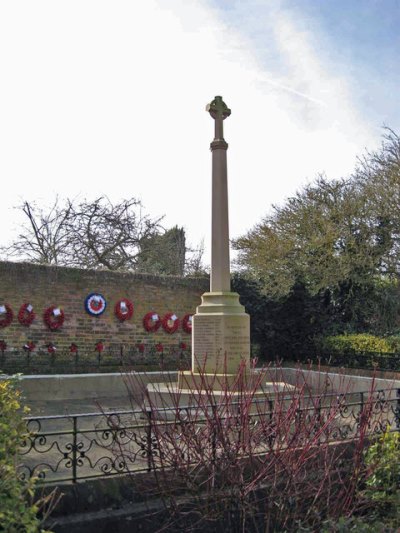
x=220 y=267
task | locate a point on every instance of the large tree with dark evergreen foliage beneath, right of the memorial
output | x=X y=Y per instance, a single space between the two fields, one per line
x=328 y=260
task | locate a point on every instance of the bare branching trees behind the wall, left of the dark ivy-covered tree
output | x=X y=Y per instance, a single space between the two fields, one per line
x=89 y=234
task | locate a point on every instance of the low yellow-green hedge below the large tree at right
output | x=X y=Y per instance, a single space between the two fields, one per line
x=356 y=343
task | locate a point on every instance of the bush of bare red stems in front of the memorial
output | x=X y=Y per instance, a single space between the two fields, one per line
x=230 y=464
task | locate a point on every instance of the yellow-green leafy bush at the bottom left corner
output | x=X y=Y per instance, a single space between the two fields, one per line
x=17 y=511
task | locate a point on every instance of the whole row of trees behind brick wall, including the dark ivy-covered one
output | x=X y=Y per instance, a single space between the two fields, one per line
x=102 y=234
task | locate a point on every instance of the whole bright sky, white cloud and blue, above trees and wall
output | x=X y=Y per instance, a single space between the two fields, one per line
x=108 y=98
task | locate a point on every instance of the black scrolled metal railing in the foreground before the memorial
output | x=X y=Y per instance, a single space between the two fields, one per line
x=69 y=448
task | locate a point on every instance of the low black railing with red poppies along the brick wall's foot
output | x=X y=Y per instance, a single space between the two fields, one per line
x=114 y=358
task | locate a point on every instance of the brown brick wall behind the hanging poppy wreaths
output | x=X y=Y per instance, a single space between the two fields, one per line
x=67 y=288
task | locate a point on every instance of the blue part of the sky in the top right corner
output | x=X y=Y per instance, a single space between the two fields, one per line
x=360 y=38
